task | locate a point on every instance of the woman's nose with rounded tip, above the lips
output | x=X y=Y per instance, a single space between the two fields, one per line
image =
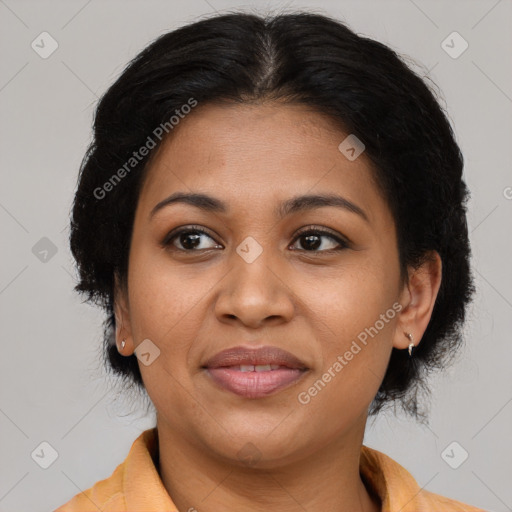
x=255 y=294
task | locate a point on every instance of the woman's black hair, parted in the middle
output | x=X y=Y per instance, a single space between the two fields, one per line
x=303 y=58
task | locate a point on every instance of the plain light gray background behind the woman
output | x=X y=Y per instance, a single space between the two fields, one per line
x=52 y=387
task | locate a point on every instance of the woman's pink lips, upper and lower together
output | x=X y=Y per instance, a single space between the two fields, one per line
x=254 y=373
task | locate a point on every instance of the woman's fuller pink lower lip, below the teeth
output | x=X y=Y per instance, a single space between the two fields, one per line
x=254 y=384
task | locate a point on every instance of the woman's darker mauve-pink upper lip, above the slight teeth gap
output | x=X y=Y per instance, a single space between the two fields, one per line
x=237 y=356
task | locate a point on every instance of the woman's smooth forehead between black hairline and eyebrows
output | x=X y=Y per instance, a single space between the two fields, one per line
x=258 y=152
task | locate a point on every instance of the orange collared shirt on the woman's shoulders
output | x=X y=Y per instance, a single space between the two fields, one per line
x=135 y=485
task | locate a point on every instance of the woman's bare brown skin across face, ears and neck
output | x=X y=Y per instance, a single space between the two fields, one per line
x=307 y=301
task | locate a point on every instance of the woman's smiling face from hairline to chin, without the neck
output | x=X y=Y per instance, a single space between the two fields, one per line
x=320 y=281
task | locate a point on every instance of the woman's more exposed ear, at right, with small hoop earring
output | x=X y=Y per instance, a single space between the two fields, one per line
x=417 y=299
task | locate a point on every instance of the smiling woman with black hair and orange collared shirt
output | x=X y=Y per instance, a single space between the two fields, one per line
x=272 y=213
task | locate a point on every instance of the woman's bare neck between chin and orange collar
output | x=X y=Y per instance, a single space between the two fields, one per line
x=326 y=480
